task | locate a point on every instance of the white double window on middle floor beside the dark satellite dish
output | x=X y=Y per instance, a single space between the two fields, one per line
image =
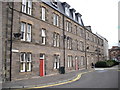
x=26 y=34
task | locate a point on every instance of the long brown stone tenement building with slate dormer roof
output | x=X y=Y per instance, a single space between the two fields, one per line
x=41 y=37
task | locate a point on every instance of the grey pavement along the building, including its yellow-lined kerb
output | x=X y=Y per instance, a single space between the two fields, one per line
x=50 y=80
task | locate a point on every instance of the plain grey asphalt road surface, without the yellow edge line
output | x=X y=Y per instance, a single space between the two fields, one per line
x=96 y=79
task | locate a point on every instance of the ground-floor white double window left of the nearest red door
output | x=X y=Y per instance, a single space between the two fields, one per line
x=25 y=62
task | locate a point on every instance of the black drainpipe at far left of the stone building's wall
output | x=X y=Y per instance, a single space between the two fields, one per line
x=11 y=40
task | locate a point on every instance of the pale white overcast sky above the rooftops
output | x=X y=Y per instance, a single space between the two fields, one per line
x=101 y=15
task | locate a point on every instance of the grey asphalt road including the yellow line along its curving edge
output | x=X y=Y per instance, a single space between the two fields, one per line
x=98 y=78
